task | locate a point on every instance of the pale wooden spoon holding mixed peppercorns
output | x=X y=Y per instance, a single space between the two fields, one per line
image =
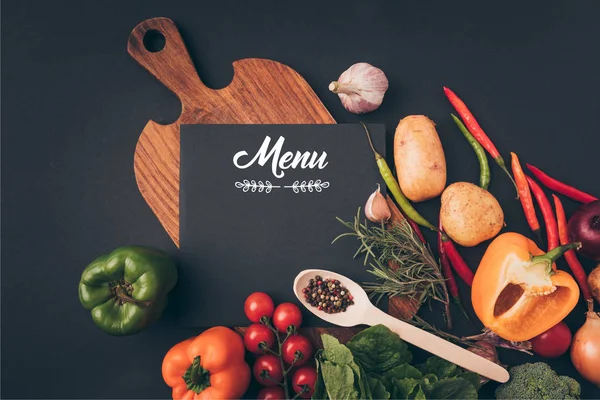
x=342 y=302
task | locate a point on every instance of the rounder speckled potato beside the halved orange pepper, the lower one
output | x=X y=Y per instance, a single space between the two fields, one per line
x=470 y=214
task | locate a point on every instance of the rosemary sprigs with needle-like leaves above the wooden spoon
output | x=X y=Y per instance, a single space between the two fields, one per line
x=418 y=274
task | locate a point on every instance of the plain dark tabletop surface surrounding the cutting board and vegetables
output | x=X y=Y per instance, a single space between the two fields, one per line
x=74 y=103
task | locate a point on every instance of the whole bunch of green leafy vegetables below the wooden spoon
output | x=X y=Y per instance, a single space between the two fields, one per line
x=374 y=364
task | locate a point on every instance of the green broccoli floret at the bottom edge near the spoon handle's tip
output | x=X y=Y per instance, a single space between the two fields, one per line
x=537 y=381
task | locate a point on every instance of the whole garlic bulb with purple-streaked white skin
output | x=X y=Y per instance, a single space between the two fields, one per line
x=361 y=88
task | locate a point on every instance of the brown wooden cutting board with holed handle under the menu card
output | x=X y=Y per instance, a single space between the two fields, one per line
x=261 y=92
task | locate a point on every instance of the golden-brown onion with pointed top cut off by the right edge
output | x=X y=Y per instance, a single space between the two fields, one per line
x=585 y=350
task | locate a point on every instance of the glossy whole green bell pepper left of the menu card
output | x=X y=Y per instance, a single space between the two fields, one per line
x=127 y=289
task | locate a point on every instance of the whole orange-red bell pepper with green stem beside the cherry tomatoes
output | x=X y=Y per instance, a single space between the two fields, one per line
x=208 y=366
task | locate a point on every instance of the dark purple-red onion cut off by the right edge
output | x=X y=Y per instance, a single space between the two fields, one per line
x=584 y=227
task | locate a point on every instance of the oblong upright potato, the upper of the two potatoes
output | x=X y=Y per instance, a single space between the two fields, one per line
x=419 y=158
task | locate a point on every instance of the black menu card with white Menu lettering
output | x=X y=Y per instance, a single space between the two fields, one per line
x=258 y=204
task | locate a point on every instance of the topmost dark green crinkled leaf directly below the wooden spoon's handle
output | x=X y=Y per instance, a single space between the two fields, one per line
x=378 y=349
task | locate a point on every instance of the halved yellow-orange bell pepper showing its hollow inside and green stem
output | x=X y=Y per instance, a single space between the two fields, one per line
x=516 y=293
